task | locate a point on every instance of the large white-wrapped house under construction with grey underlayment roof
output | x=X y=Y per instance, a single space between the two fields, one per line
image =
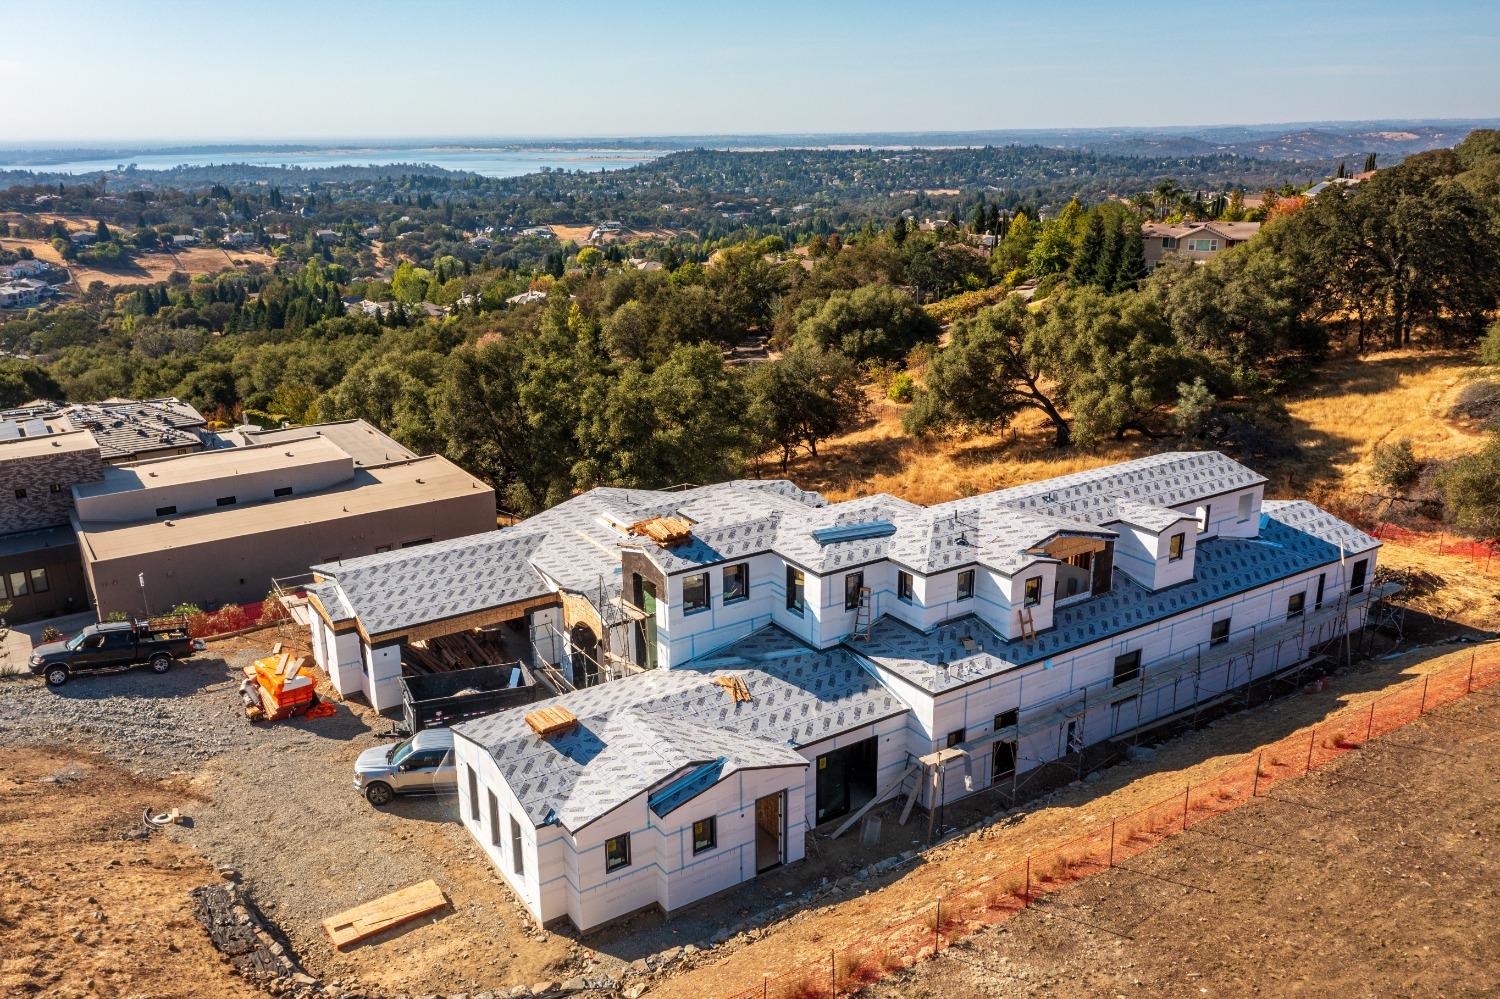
x=755 y=662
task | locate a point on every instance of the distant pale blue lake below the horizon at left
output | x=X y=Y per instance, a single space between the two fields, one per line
x=487 y=161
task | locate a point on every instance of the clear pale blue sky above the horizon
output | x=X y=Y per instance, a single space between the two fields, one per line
x=212 y=70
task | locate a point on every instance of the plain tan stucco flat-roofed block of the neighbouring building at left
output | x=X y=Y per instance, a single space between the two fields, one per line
x=218 y=527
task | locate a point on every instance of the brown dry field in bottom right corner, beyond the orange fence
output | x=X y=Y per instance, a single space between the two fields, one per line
x=1376 y=877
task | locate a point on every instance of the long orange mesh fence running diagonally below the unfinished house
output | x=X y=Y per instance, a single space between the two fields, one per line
x=997 y=898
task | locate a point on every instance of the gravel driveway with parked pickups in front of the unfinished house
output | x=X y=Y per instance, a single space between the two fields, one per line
x=275 y=803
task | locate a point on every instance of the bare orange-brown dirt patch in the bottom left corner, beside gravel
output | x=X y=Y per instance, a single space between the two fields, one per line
x=89 y=914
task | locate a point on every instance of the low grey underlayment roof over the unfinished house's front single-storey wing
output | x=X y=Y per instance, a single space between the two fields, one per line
x=640 y=731
